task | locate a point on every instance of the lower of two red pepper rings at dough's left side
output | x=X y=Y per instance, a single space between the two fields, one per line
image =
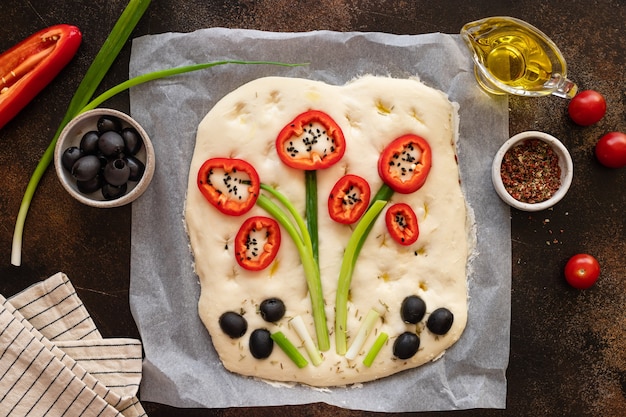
x=257 y=243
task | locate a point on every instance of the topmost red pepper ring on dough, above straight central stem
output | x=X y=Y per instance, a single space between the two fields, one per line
x=313 y=140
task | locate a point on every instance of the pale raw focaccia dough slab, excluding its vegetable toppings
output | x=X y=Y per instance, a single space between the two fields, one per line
x=371 y=111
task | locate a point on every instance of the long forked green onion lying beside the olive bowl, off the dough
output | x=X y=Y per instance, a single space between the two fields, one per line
x=80 y=101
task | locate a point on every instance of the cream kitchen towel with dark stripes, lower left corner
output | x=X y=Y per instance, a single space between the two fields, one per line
x=54 y=362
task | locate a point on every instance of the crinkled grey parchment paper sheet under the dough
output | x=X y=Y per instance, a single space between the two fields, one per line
x=181 y=367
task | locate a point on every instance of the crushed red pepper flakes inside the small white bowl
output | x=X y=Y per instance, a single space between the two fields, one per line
x=530 y=171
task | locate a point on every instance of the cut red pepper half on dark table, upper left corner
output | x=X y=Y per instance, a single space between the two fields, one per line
x=26 y=68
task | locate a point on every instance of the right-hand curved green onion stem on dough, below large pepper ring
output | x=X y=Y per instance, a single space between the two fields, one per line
x=353 y=248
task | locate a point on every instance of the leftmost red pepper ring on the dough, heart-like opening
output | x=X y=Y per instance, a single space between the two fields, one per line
x=231 y=185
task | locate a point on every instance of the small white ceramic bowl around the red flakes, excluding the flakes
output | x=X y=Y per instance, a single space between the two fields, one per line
x=565 y=163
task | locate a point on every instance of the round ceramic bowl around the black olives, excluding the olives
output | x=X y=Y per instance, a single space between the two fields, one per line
x=71 y=136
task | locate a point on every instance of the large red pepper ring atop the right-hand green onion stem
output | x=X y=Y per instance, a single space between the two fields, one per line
x=404 y=164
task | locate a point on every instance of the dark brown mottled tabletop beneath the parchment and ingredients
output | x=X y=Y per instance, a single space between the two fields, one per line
x=568 y=348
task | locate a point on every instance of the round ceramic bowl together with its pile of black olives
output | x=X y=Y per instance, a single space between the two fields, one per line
x=104 y=158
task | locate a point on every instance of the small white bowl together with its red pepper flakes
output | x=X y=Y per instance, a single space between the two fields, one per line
x=532 y=171
